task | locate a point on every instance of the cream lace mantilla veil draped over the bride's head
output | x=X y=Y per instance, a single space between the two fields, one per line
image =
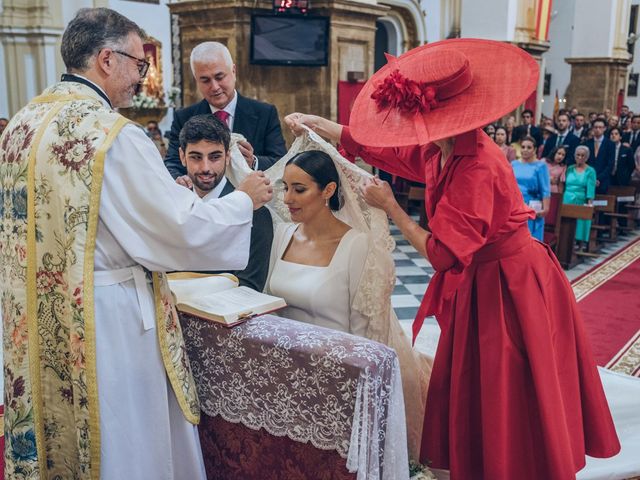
x=373 y=297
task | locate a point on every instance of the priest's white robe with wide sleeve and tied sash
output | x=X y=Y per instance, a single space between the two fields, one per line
x=147 y=220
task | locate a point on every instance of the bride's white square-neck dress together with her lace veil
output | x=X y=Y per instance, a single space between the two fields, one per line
x=352 y=294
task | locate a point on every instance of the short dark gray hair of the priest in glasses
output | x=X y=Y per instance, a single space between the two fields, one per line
x=91 y=30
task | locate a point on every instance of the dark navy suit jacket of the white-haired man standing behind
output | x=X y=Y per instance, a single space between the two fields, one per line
x=256 y=121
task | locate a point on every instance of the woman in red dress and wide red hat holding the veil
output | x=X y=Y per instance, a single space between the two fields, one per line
x=514 y=392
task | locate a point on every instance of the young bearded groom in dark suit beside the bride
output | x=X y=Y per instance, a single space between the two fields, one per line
x=204 y=152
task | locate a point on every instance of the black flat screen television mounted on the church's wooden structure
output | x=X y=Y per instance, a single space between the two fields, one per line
x=289 y=40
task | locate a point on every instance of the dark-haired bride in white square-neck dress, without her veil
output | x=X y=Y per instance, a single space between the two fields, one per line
x=317 y=260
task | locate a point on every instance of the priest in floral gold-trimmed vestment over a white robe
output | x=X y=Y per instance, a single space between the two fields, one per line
x=98 y=381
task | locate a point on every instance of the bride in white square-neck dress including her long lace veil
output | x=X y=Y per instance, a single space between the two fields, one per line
x=331 y=258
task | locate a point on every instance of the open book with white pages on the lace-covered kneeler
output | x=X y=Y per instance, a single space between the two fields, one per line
x=219 y=298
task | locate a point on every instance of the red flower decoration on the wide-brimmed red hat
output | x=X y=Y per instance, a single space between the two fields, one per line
x=398 y=91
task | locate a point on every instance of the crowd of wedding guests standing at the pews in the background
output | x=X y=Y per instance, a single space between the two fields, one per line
x=571 y=156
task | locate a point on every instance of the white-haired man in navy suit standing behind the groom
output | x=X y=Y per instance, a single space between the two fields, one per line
x=215 y=75
